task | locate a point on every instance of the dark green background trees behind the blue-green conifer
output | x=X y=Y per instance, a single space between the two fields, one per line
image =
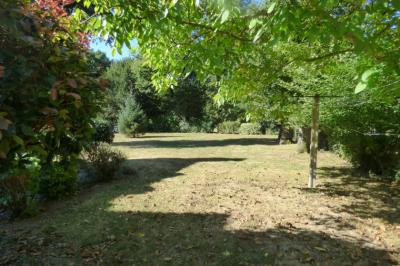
x=188 y=106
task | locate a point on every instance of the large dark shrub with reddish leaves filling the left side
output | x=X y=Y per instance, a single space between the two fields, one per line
x=49 y=96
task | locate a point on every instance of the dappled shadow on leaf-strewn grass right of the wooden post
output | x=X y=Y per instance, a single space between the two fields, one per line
x=373 y=197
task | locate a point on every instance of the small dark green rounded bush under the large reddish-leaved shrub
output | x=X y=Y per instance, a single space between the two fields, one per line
x=58 y=180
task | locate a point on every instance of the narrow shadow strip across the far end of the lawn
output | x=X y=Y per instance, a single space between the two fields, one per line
x=196 y=143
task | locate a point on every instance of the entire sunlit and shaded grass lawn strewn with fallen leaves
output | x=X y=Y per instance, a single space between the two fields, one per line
x=208 y=199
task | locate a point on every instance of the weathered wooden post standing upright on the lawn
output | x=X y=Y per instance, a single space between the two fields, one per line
x=314 y=142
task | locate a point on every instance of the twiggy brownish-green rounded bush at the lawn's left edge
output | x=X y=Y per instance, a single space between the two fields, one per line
x=104 y=162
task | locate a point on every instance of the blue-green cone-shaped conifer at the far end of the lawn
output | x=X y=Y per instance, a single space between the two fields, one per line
x=132 y=120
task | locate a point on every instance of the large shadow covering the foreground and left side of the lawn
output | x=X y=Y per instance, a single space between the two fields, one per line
x=90 y=233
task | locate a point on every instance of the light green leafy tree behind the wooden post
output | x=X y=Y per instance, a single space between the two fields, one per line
x=362 y=127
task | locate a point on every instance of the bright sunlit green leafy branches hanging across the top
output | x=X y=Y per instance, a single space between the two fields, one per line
x=207 y=36
